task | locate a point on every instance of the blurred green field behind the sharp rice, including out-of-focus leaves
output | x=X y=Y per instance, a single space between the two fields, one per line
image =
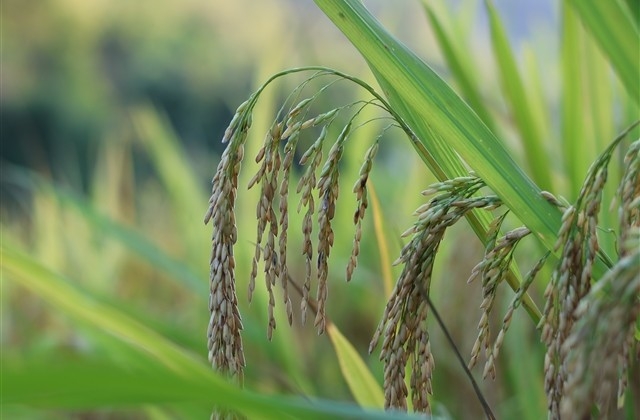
x=112 y=118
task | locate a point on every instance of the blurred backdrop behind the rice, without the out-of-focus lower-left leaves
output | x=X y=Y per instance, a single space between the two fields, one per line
x=112 y=114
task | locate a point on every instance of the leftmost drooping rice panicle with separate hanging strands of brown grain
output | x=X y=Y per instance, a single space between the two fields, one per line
x=318 y=189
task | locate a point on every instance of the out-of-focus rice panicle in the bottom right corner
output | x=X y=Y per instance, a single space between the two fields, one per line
x=599 y=344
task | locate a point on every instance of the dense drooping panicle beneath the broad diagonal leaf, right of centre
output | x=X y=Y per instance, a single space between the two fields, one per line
x=403 y=325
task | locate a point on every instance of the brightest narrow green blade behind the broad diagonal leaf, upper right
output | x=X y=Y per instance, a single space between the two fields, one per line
x=518 y=100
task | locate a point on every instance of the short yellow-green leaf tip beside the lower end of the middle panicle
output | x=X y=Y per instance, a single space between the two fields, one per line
x=363 y=385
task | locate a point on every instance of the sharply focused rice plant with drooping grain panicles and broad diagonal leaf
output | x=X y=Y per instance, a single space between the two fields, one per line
x=591 y=303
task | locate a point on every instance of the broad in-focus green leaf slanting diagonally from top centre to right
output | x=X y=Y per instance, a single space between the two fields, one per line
x=430 y=100
